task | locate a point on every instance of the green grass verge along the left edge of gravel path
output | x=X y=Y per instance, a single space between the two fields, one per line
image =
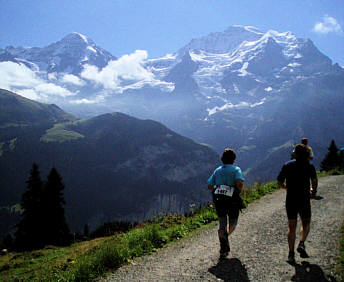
x=88 y=260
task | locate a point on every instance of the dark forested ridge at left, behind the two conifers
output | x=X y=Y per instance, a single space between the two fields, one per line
x=114 y=166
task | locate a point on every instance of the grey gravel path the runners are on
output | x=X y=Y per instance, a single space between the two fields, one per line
x=258 y=246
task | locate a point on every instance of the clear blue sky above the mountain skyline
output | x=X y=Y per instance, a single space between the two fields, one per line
x=164 y=26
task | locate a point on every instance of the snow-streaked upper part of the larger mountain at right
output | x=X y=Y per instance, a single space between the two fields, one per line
x=245 y=61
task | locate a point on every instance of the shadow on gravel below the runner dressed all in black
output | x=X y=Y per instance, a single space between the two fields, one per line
x=310 y=272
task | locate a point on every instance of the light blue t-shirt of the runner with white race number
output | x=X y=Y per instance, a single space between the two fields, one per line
x=225 y=175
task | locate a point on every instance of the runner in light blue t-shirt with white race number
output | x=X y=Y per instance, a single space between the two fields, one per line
x=226 y=183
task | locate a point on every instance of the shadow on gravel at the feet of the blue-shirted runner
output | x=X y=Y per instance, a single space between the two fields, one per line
x=229 y=270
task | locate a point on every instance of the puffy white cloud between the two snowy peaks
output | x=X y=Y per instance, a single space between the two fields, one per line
x=125 y=73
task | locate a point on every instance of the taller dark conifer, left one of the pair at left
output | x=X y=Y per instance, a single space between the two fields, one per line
x=28 y=235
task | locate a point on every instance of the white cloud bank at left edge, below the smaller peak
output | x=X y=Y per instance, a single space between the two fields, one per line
x=22 y=80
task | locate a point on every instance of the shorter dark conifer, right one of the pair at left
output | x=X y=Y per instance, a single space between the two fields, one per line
x=56 y=230
